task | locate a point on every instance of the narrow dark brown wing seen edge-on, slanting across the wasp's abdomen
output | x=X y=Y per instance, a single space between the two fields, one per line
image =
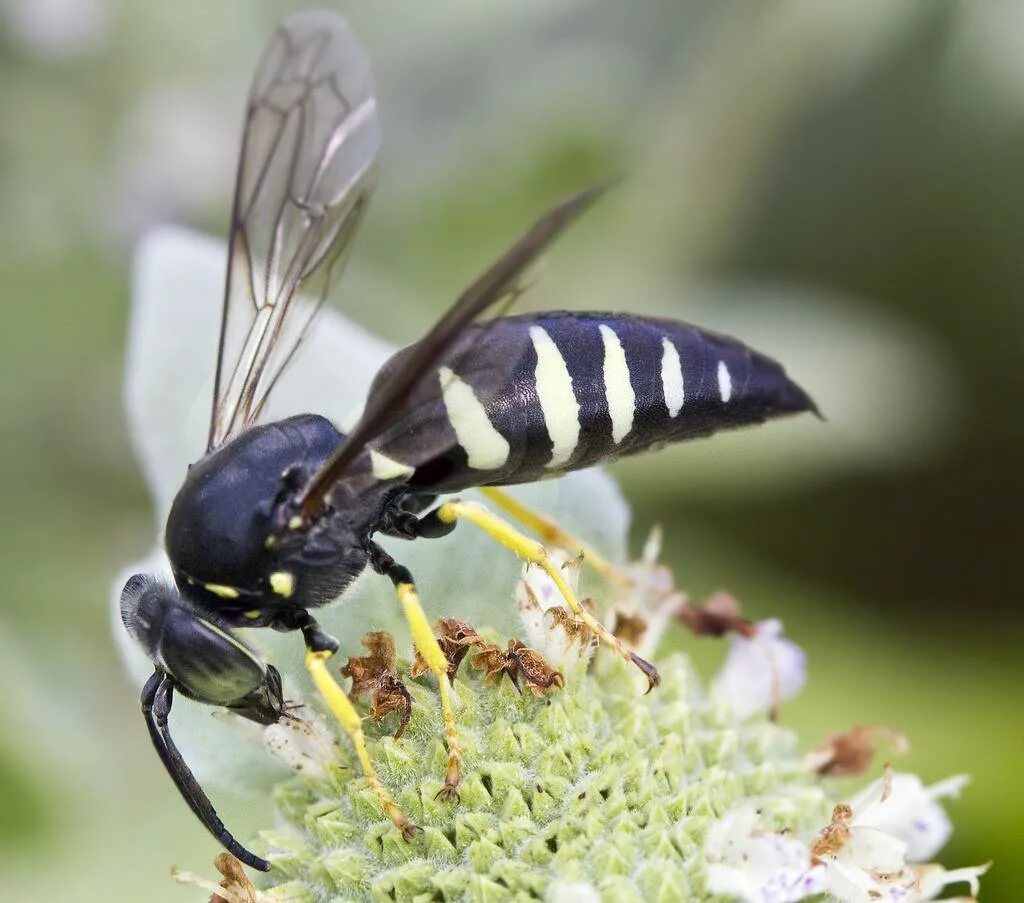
x=389 y=406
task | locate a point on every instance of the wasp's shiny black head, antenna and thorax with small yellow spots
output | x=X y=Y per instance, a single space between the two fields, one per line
x=242 y=556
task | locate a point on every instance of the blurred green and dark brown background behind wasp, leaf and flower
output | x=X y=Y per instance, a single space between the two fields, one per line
x=839 y=184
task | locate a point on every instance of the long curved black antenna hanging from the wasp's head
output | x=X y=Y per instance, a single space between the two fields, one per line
x=157 y=697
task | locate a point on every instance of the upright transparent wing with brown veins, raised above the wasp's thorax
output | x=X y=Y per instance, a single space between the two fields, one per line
x=306 y=174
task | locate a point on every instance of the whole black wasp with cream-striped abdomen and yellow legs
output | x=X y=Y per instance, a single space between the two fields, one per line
x=276 y=520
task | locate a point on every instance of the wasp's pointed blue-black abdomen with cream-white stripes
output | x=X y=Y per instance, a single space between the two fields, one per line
x=575 y=390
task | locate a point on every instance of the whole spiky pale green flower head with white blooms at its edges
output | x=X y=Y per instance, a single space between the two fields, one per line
x=592 y=792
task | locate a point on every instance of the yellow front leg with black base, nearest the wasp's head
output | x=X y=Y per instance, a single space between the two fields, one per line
x=320 y=648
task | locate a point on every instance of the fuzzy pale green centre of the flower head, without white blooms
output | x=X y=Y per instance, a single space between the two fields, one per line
x=591 y=791
